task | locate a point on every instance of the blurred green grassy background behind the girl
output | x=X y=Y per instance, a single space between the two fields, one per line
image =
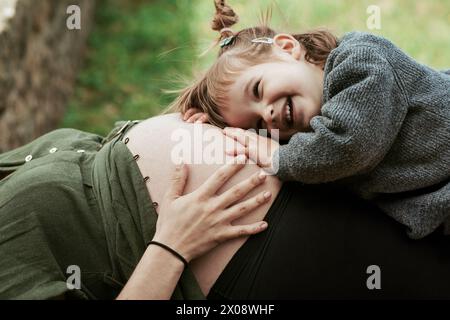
x=138 y=48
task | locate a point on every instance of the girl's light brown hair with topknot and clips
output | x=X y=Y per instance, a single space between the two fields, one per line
x=209 y=92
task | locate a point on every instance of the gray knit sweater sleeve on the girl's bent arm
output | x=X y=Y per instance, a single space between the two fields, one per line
x=358 y=123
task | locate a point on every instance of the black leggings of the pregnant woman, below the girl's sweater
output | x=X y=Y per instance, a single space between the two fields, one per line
x=319 y=244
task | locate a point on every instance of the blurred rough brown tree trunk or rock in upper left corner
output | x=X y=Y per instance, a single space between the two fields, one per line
x=39 y=59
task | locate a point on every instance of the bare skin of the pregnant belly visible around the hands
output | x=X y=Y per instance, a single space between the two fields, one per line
x=151 y=141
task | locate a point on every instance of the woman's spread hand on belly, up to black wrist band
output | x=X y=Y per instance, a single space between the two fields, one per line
x=197 y=222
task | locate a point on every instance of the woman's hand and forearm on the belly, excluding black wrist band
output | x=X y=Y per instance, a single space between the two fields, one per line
x=192 y=225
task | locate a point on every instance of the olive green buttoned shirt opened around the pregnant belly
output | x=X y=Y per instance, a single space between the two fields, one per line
x=74 y=201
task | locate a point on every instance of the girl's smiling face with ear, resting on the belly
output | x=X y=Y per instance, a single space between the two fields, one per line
x=284 y=94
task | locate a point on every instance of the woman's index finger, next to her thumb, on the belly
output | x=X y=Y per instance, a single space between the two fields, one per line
x=222 y=175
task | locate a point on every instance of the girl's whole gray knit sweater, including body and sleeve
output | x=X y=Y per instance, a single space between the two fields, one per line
x=384 y=132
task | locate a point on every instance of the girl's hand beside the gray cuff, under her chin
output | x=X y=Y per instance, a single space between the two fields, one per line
x=257 y=148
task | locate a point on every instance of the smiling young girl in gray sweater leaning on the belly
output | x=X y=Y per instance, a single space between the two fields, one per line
x=356 y=111
